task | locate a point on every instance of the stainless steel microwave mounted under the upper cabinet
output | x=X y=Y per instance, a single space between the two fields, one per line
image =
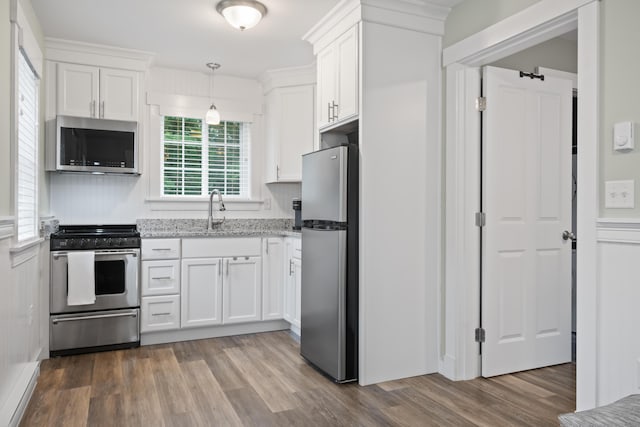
x=76 y=144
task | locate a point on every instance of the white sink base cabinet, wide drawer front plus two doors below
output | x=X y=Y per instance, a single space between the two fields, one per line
x=221 y=281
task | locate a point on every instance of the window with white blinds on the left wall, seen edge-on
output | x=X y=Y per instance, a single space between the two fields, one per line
x=27 y=152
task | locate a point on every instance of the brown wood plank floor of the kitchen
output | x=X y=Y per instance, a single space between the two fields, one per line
x=260 y=380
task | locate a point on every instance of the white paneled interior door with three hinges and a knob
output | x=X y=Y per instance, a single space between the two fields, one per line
x=526 y=197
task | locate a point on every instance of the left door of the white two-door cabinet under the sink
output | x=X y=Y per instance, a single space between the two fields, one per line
x=201 y=292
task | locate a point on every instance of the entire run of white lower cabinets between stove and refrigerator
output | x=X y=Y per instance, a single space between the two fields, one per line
x=195 y=283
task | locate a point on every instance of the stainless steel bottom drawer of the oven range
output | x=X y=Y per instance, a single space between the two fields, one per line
x=94 y=329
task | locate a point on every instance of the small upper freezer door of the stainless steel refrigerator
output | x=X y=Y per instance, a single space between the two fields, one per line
x=324 y=185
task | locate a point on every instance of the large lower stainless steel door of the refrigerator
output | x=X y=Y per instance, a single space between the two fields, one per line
x=323 y=305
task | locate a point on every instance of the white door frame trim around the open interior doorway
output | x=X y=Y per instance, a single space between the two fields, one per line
x=460 y=298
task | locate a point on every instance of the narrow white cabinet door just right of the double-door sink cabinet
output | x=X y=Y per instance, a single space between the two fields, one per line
x=273 y=272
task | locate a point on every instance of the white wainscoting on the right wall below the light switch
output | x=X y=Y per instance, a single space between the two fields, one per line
x=618 y=310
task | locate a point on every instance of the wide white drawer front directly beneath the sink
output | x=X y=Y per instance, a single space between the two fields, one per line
x=220 y=247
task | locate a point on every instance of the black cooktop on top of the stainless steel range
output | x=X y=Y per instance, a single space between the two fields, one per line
x=87 y=237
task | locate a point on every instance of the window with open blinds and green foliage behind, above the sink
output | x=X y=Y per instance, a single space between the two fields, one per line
x=200 y=157
